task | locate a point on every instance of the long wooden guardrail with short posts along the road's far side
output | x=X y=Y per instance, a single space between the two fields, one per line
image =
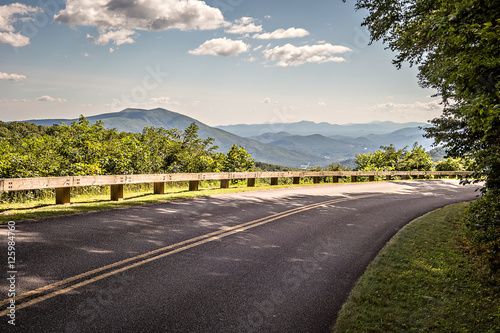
x=63 y=185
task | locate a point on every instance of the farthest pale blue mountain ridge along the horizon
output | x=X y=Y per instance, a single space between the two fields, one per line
x=309 y=128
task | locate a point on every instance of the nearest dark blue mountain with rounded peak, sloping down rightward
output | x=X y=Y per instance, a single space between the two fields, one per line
x=134 y=120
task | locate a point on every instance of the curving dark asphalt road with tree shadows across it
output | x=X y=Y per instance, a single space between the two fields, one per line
x=268 y=261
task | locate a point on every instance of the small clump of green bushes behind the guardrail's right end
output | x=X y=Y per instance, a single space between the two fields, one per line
x=389 y=158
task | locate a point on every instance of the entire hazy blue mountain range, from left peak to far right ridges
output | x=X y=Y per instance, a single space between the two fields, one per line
x=292 y=145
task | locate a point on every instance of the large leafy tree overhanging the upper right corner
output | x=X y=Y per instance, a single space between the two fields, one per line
x=456 y=46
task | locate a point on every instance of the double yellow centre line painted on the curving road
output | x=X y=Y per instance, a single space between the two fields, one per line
x=142 y=259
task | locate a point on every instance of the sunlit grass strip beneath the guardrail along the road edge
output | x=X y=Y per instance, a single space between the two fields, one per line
x=134 y=196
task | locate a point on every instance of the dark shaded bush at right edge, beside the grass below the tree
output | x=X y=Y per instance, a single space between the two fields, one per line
x=482 y=222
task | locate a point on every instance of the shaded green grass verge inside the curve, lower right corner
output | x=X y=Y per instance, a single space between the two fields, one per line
x=424 y=281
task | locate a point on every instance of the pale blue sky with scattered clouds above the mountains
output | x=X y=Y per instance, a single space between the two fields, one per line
x=219 y=61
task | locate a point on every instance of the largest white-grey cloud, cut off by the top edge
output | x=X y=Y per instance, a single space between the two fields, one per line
x=141 y=14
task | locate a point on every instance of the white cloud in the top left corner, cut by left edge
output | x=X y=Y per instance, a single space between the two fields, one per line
x=9 y=14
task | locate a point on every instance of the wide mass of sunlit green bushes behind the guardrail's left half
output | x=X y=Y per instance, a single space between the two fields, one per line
x=82 y=148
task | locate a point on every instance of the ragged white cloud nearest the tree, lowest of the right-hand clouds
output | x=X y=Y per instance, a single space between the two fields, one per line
x=290 y=55
